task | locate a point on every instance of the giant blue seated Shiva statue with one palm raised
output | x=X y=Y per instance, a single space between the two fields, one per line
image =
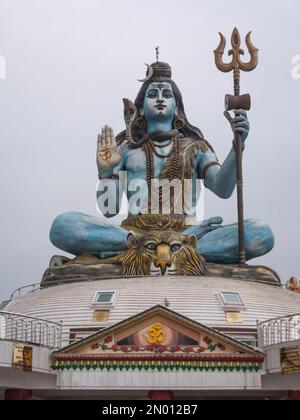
x=159 y=143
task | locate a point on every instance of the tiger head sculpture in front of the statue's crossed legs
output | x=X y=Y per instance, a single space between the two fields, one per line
x=162 y=253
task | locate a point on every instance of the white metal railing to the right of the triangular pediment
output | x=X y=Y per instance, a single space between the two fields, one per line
x=279 y=330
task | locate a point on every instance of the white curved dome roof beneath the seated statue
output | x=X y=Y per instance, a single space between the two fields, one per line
x=193 y=297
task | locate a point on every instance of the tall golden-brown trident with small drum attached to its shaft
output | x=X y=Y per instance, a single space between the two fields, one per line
x=237 y=102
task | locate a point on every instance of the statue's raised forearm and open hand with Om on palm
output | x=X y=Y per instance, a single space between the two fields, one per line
x=111 y=161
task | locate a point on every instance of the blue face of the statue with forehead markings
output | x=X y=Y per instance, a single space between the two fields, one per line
x=159 y=102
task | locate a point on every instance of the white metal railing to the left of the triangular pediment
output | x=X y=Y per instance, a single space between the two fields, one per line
x=28 y=329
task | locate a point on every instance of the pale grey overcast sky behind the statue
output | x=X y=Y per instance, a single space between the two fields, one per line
x=69 y=64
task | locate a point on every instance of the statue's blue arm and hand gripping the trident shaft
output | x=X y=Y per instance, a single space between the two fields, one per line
x=221 y=179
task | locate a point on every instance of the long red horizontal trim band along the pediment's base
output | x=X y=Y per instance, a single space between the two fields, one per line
x=160 y=357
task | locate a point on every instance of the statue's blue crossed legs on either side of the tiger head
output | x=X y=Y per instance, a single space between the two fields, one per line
x=77 y=233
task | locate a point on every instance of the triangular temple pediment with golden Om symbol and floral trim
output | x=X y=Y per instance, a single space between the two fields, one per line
x=158 y=339
